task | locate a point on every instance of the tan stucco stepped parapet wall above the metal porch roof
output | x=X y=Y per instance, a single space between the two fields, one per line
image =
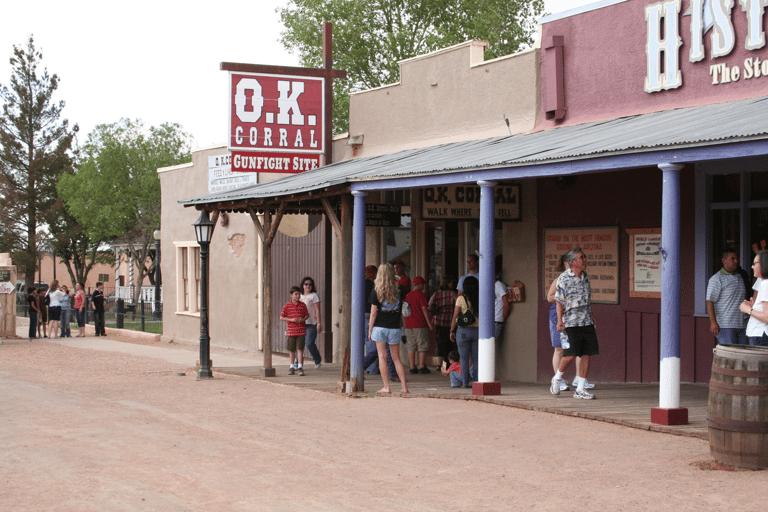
x=446 y=96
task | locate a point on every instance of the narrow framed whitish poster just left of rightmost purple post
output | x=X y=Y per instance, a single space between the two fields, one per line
x=645 y=263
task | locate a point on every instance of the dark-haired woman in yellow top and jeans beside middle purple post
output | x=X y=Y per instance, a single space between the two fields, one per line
x=466 y=336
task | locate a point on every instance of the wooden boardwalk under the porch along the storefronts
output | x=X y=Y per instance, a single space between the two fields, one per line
x=624 y=404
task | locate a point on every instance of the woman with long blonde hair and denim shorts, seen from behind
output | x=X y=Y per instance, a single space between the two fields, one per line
x=384 y=324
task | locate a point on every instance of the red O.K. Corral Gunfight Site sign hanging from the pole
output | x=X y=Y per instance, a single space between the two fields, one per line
x=279 y=114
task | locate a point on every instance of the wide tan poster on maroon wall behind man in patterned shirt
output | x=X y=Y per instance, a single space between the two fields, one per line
x=601 y=247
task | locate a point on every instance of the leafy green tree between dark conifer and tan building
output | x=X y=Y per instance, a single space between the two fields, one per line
x=115 y=191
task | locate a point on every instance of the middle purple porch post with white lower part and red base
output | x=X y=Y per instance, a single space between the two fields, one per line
x=486 y=366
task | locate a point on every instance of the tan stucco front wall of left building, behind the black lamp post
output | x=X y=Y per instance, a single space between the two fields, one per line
x=234 y=274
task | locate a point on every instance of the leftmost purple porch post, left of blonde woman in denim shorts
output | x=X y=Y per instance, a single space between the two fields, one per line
x=357 y=334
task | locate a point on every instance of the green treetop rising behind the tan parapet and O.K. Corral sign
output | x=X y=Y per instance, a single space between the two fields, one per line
x=371 y=36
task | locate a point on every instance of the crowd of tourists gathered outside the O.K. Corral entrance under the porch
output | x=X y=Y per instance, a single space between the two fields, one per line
x=397 y=310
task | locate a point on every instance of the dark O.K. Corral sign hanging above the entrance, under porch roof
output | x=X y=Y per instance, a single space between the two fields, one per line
x=462 y=202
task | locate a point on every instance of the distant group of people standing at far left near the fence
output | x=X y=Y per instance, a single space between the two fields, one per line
x=52 y=309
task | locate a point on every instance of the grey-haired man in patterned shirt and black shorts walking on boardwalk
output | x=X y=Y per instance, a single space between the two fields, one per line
x=574 y=316
